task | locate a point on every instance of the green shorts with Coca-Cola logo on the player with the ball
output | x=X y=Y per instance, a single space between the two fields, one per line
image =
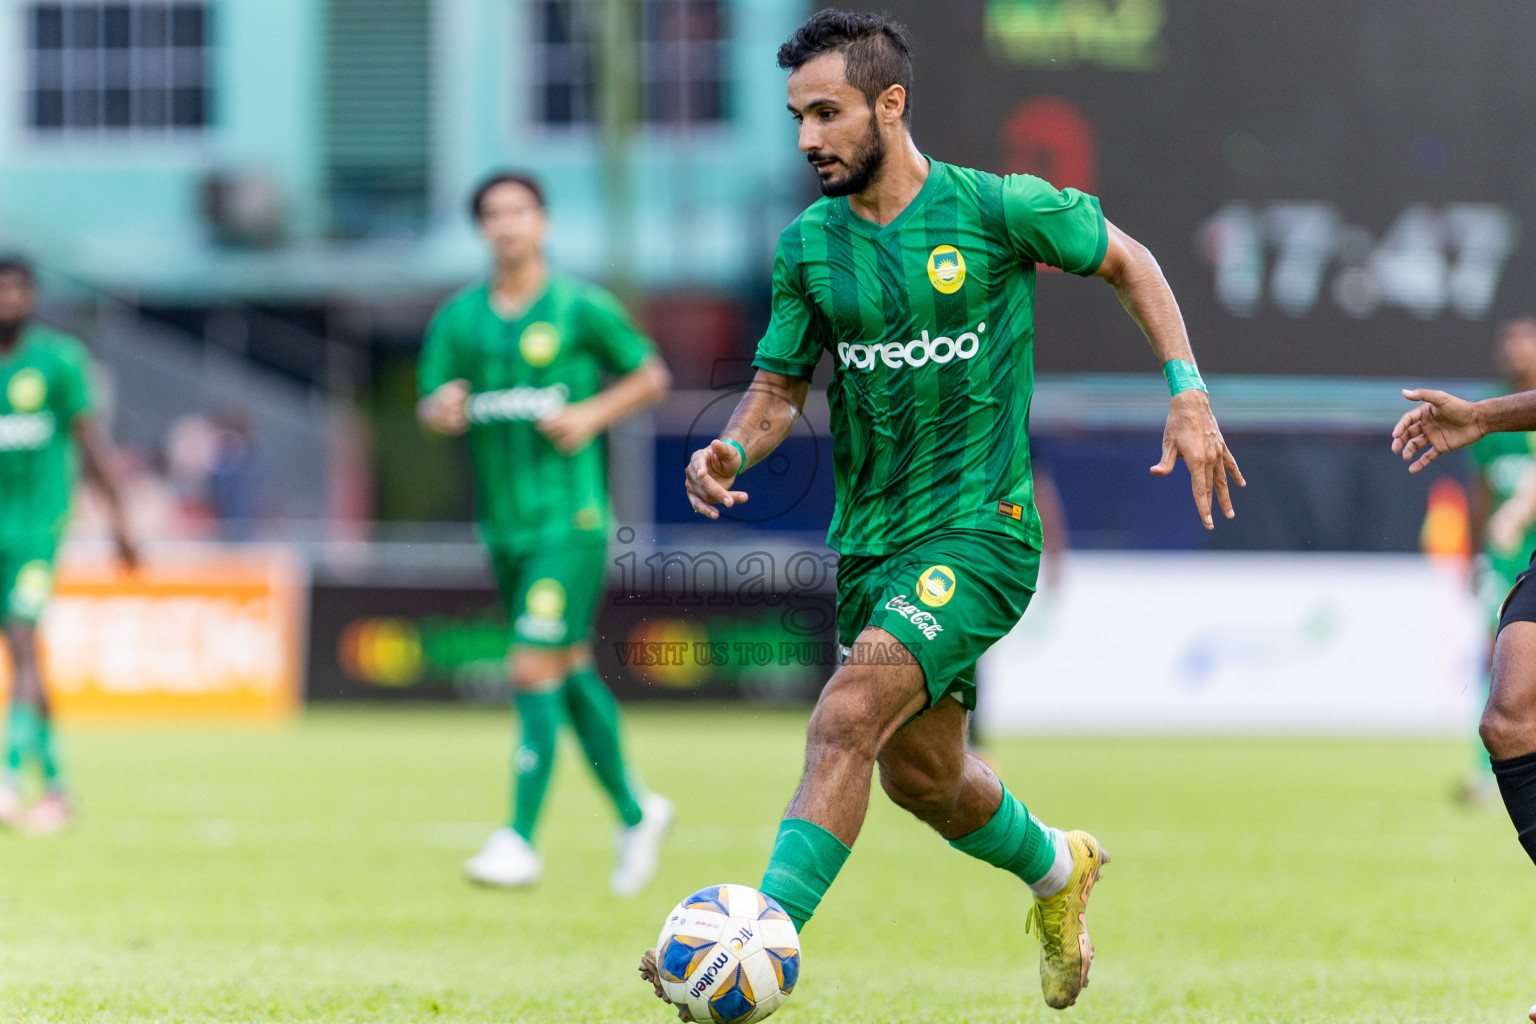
x=948 y=596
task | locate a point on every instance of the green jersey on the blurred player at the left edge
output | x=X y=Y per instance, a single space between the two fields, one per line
x=45 y=385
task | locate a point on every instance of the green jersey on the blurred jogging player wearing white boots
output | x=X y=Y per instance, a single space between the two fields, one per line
x=523 y=371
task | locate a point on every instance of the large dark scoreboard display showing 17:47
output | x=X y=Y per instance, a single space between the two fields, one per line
x=1331 y=187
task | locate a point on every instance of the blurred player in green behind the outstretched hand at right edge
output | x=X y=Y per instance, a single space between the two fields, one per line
x=1503 y=510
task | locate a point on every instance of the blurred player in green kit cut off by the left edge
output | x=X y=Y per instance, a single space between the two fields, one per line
x=47 y=426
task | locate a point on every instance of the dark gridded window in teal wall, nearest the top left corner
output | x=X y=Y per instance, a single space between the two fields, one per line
x=119 y=67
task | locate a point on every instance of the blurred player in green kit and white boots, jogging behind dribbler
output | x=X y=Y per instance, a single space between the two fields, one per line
x=518 y=365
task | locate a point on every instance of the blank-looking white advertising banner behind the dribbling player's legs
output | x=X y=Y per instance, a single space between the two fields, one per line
x=1251 y=644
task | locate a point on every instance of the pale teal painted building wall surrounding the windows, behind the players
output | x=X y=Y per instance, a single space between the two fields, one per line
x=124 y=213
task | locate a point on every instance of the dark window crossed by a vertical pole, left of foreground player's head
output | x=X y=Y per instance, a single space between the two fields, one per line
x=683 y=62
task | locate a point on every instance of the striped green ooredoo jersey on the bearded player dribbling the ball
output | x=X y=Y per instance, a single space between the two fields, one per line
x=930 y=322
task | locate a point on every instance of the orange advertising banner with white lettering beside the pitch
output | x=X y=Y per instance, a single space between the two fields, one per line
x=211 y=638
